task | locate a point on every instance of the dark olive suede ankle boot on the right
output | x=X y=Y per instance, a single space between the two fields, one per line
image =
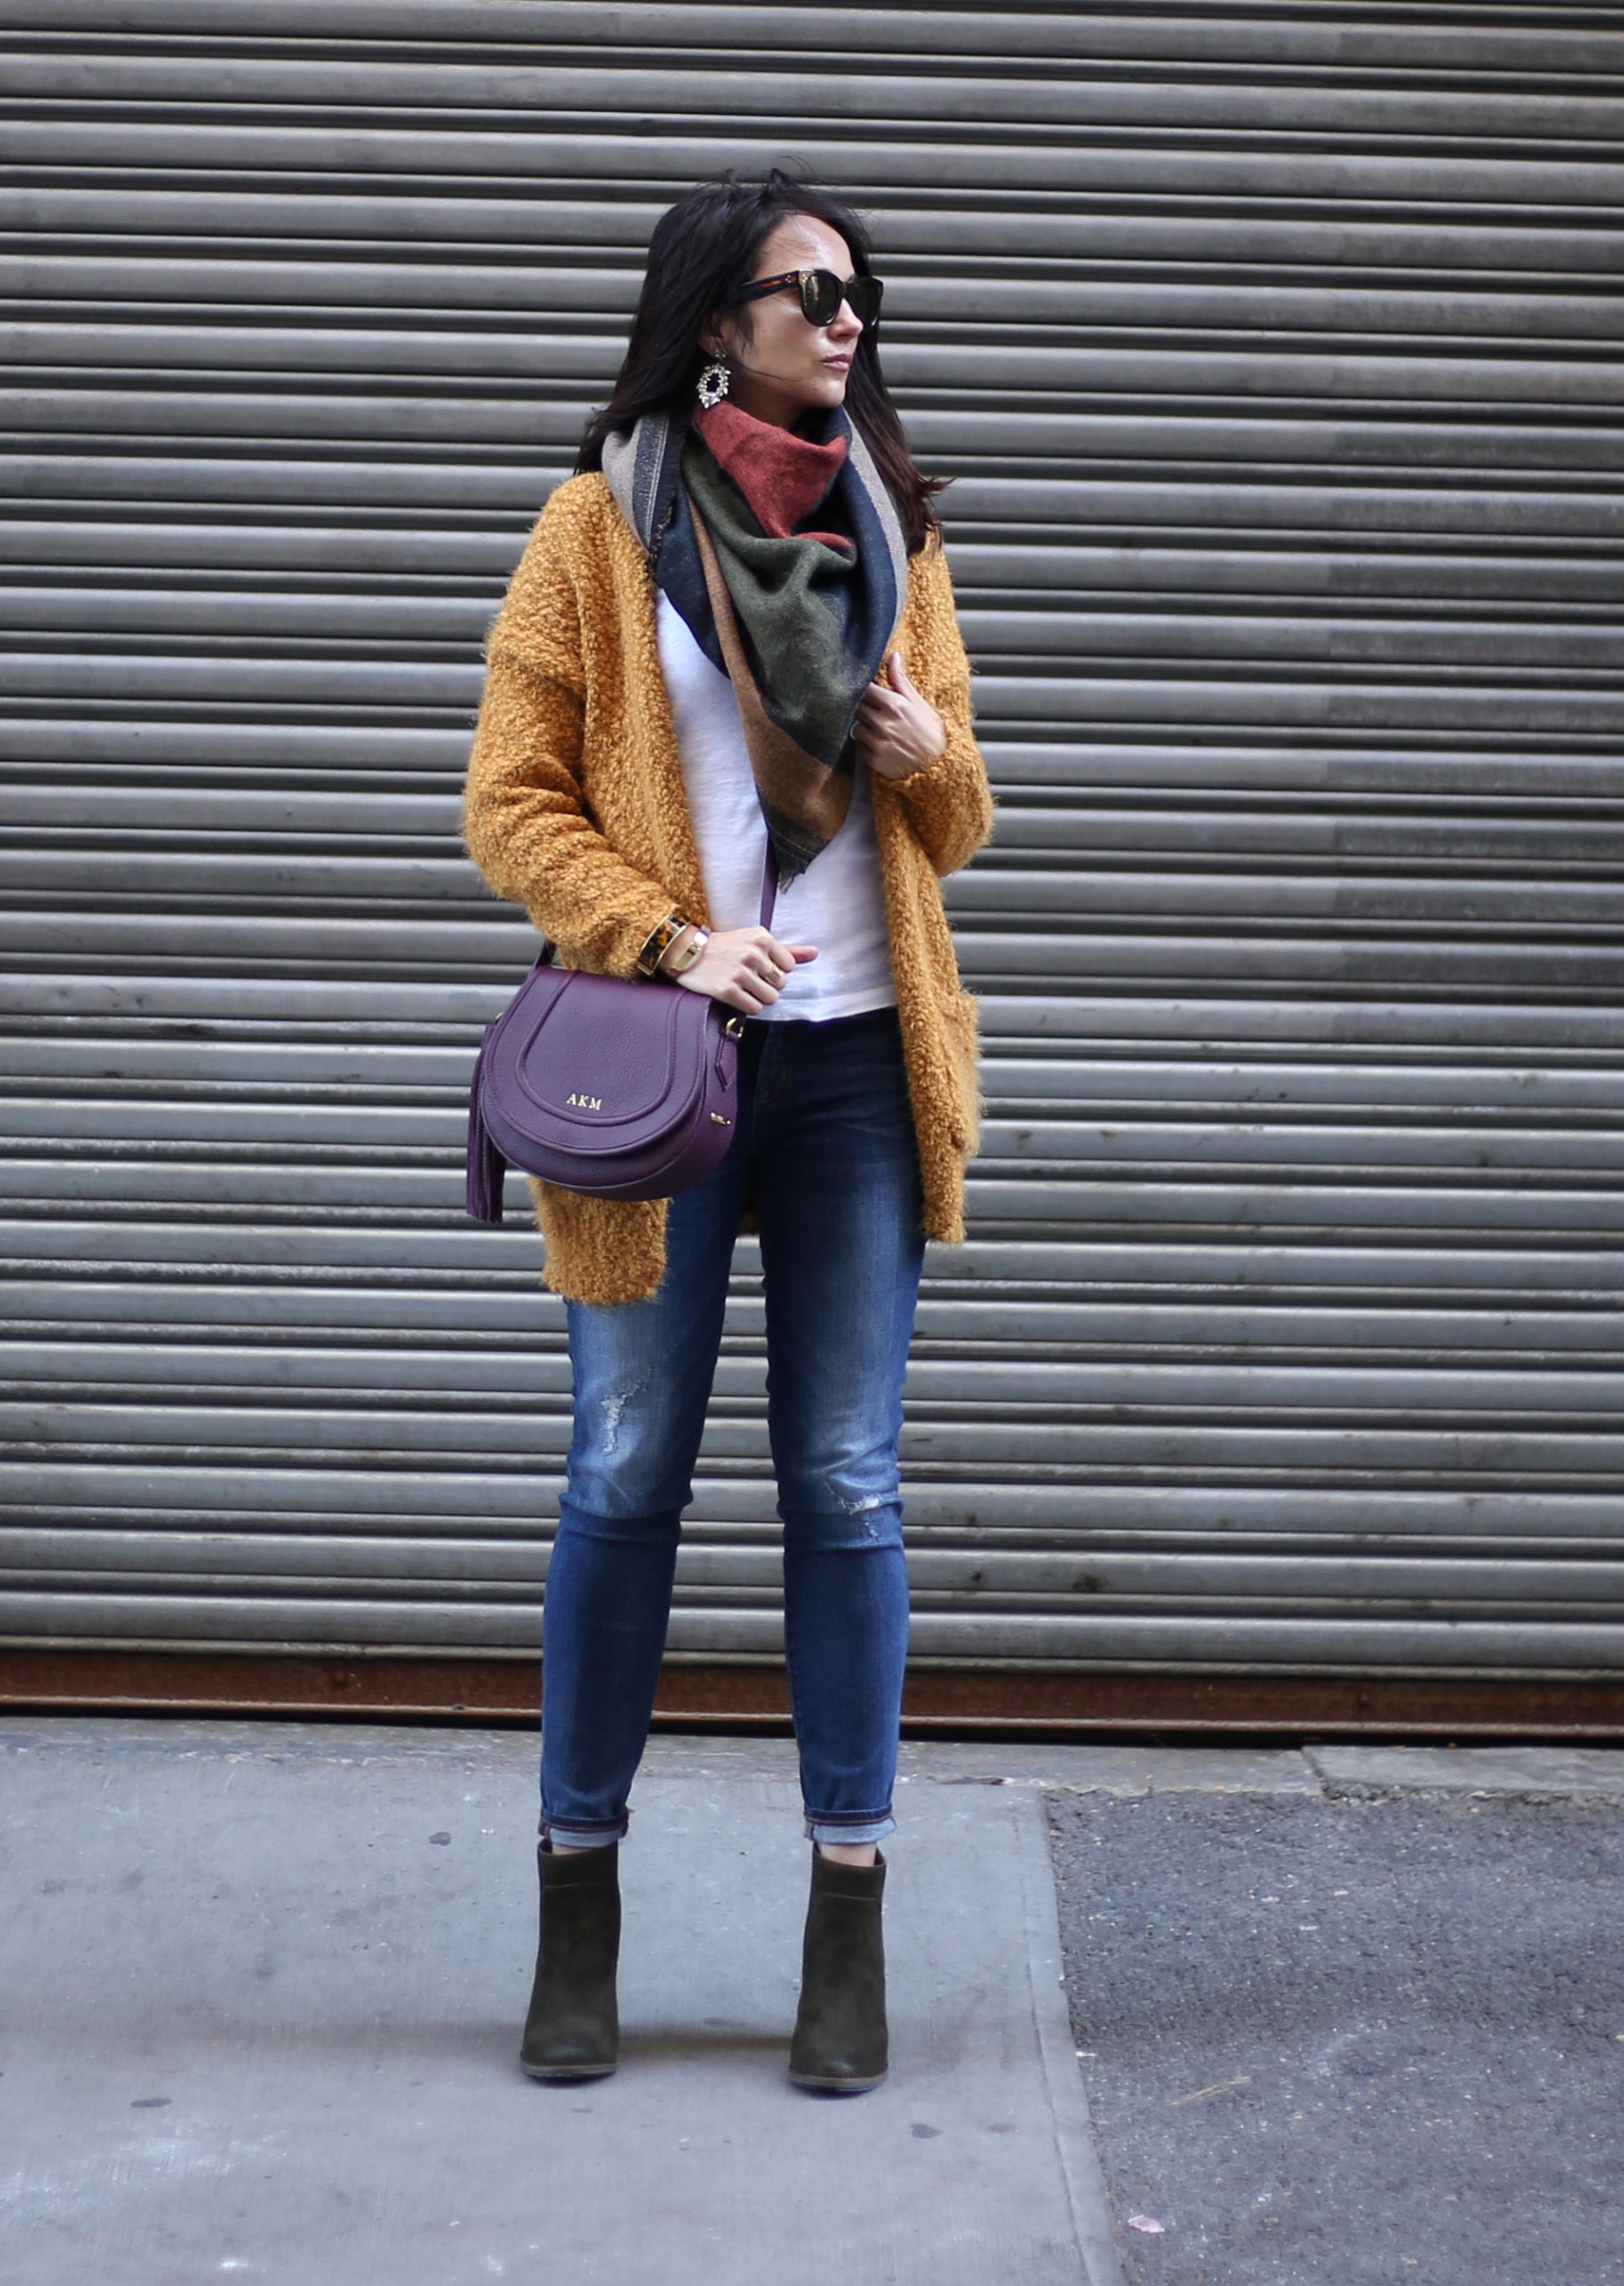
x=839 y=2045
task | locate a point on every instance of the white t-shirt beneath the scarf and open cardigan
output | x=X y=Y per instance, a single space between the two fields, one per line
x=837 y=904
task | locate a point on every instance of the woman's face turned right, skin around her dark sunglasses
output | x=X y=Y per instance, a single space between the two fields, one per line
x=785 y=367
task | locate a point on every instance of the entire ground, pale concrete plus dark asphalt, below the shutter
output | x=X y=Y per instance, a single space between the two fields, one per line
x=1346 y=2015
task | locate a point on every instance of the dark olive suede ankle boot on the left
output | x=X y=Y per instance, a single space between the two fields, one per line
x=572 y=2031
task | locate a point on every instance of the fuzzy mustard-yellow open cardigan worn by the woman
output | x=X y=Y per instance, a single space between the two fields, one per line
x=577 y=810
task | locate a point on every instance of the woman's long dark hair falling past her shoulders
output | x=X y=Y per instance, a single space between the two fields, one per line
x=702 y=253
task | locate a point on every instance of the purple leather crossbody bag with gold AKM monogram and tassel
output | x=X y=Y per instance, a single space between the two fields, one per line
x=604 y=1087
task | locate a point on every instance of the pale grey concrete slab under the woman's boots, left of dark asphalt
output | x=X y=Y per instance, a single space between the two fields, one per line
x=264 y=1988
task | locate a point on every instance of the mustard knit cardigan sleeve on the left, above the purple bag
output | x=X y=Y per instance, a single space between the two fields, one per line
x=526 y=820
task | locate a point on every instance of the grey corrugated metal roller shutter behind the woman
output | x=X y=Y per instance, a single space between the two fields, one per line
x=1276 y=355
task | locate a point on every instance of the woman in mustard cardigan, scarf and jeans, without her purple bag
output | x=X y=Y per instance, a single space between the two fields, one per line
x=730 y=669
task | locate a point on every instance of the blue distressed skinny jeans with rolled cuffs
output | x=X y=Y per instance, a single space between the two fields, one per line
x=826 y=1156
